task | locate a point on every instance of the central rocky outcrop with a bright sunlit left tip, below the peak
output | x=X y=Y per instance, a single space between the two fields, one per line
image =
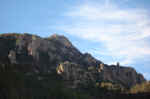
x=75 y=75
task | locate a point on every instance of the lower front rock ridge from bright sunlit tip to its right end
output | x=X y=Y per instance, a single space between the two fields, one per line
x=75 y=74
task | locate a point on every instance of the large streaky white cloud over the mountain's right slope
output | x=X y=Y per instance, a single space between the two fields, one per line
x=122 y=31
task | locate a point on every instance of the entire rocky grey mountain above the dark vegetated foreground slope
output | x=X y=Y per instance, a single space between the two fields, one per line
x=46 y=54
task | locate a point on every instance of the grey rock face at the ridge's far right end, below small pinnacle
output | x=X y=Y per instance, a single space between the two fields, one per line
x=126 y=76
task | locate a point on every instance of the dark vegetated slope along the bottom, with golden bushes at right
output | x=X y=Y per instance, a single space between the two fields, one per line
x=16 y=84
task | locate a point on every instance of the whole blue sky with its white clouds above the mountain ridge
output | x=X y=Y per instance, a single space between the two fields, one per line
x=111 y=30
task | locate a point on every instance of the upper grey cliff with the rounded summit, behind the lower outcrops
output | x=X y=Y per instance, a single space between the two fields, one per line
x=27 y=49
